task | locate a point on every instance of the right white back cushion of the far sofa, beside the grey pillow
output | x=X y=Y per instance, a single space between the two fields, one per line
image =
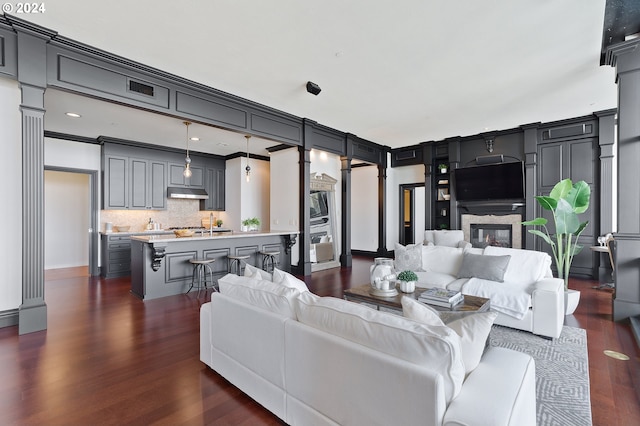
x=525 y=266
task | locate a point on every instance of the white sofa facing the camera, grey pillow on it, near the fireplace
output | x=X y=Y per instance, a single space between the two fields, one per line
x=519 y=282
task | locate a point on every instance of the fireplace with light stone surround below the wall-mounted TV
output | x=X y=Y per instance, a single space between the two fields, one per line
x=494 y=230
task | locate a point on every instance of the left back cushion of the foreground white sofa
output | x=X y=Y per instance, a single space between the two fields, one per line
x=261 y=293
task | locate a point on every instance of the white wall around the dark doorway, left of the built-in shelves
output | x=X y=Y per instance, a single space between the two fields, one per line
x=395 y=177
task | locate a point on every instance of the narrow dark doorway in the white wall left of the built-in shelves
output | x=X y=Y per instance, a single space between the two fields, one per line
x=411 y=213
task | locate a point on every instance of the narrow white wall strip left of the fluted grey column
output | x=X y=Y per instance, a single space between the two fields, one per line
x=11 y=172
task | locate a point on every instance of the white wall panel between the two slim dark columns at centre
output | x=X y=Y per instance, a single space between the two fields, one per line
x=364 y=208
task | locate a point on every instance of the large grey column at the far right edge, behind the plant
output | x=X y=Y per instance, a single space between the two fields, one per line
x=625 y=57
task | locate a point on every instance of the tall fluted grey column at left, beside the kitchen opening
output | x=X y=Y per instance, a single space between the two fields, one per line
x=32 y=76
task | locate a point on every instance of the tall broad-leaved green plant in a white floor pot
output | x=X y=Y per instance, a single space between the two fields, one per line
x=566 y=201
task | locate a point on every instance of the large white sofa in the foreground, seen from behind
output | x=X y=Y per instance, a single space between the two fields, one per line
x=326 y=361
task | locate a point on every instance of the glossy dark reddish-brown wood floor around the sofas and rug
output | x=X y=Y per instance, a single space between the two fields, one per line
x=109 y=358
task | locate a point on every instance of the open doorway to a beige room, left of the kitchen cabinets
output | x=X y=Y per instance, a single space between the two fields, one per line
x=70 y=216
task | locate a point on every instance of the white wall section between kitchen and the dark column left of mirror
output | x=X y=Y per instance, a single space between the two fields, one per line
x=285 y=190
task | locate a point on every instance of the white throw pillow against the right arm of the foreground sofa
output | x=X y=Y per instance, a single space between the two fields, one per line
x=473 y=331
